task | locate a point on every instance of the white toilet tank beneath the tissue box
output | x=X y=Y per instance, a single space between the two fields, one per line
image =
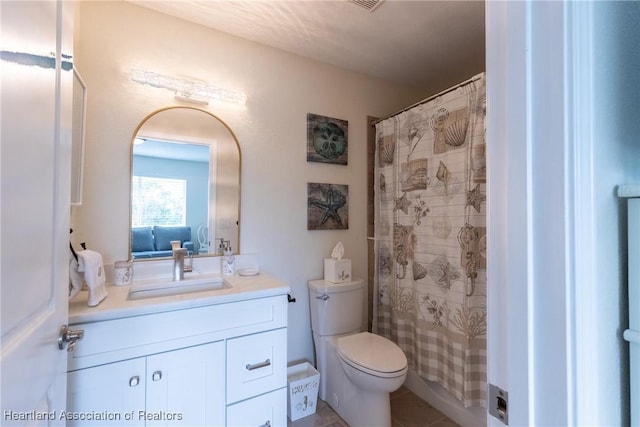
x=336 y=308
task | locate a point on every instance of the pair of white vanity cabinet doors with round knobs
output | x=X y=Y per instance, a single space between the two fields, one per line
x=180 y=387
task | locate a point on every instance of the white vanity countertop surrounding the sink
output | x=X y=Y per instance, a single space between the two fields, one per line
x=117 y=305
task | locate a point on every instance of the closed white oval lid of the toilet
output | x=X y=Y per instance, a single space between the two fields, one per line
x=372 y=352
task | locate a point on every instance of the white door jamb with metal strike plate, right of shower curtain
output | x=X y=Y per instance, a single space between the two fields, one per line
x=507 y=294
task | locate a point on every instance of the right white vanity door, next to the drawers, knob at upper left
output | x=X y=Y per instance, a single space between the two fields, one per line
x=186 y=387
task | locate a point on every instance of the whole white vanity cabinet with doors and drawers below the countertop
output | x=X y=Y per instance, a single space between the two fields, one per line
x=213 y=365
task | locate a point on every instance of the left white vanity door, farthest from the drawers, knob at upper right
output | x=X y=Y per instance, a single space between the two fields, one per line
x=111 y=395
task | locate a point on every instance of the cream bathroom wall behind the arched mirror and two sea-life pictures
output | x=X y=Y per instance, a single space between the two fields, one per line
x=113 y=37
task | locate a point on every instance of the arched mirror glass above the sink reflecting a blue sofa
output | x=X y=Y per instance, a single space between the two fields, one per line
x=185 y=184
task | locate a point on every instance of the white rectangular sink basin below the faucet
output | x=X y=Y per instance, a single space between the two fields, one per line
x=165 y=287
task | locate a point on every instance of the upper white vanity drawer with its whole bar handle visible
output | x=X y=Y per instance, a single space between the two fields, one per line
x=256 y=364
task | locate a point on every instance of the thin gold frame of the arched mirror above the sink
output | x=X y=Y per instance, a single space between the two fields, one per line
x=236 y=251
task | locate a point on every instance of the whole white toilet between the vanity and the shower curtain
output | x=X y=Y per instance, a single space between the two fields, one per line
x=357 y=369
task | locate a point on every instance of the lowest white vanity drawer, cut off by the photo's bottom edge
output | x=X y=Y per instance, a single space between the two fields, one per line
x=265 y=410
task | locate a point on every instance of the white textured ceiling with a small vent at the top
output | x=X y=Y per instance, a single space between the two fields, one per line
x=422 y=43
